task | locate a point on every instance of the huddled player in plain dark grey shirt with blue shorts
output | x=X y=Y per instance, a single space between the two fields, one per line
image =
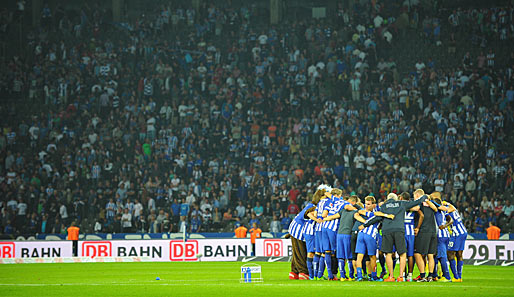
x=343 y=242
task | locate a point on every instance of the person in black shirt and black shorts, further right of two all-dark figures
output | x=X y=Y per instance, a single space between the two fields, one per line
x=425 y=244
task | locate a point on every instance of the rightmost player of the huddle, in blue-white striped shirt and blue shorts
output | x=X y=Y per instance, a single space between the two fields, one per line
x=456 y=244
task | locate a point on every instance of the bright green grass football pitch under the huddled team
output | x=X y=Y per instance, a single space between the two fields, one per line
x=222 y=279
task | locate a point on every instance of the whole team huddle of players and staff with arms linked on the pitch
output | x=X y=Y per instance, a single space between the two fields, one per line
x=342 y=234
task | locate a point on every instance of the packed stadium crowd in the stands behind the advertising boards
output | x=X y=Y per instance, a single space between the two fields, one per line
x=201 y=120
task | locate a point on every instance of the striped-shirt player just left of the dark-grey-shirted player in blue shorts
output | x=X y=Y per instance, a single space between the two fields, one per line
x=329 y=229
